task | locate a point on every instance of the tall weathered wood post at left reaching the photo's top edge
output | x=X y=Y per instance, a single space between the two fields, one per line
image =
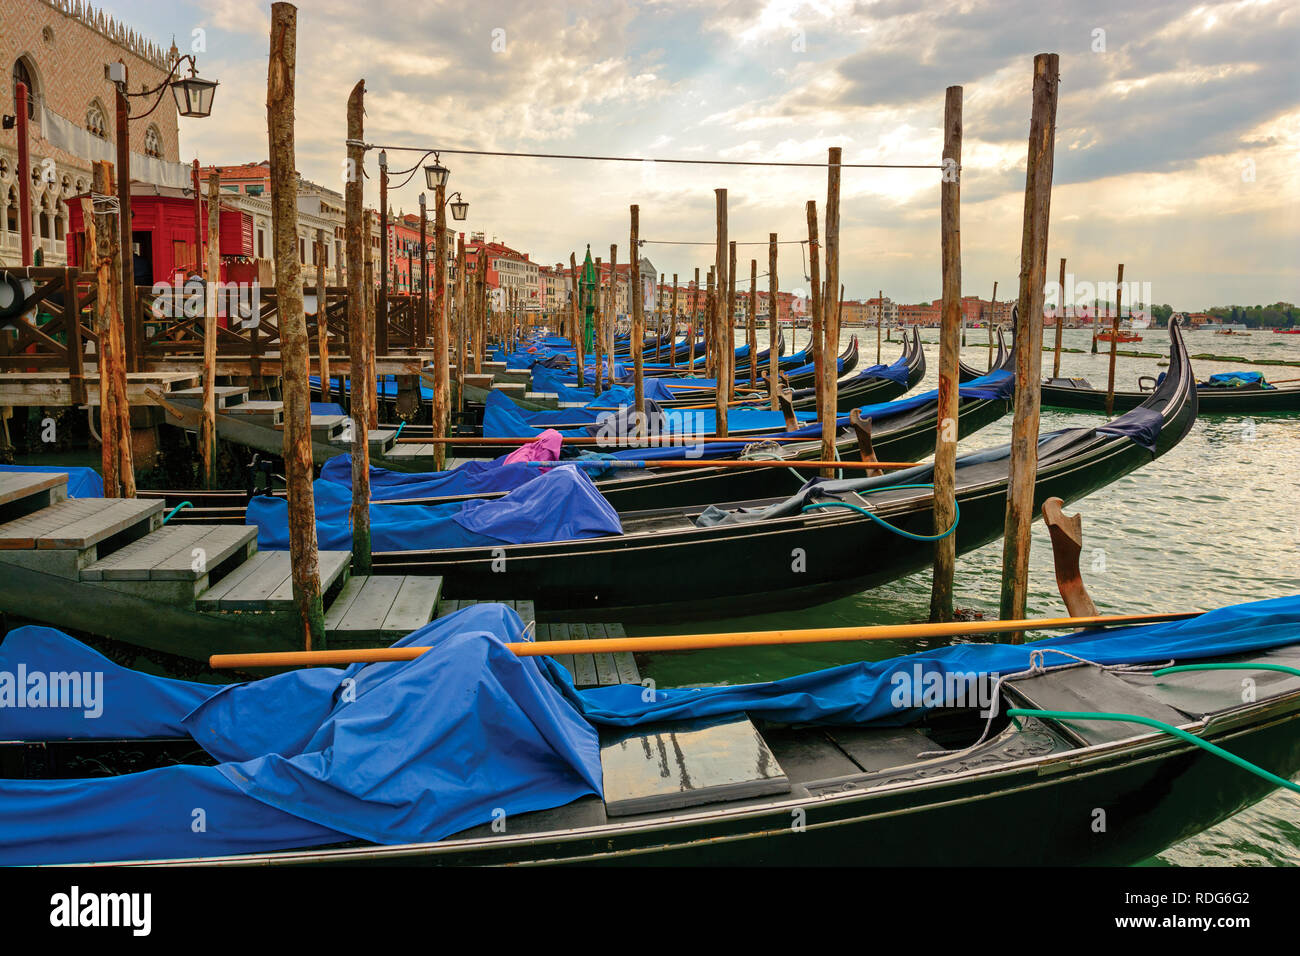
x=293 y=325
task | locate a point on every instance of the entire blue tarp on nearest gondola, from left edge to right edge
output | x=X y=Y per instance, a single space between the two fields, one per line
x=421 y=750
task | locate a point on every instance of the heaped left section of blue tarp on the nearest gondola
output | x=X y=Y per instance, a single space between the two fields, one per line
x=389 y=754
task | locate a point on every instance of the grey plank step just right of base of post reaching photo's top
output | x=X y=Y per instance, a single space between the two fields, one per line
x=382 y=609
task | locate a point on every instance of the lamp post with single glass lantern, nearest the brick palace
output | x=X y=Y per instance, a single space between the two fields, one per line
x=193 y=98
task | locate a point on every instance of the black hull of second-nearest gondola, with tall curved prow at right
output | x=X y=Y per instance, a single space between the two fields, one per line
x=744 y=557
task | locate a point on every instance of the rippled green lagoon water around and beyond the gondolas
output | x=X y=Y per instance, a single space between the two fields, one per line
x=1215 y=522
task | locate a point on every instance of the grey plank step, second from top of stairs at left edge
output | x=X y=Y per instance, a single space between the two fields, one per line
x=80 y=524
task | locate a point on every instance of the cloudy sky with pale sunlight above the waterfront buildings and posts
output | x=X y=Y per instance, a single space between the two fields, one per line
x=1177 y=141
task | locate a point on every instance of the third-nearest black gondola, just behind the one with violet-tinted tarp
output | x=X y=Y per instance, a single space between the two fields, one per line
x=898 y=435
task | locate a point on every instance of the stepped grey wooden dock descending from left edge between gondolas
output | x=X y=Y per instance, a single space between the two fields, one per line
x=111 y=568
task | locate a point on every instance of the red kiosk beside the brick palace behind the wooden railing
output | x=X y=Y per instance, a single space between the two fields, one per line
x=163 y=237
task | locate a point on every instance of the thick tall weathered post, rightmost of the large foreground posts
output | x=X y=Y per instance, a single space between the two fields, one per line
x=1029 y=339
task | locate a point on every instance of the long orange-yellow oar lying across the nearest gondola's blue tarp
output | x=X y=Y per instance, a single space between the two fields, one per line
x=703 y=642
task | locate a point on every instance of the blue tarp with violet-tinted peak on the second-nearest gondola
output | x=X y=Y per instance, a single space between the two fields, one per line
x=560 y=505
